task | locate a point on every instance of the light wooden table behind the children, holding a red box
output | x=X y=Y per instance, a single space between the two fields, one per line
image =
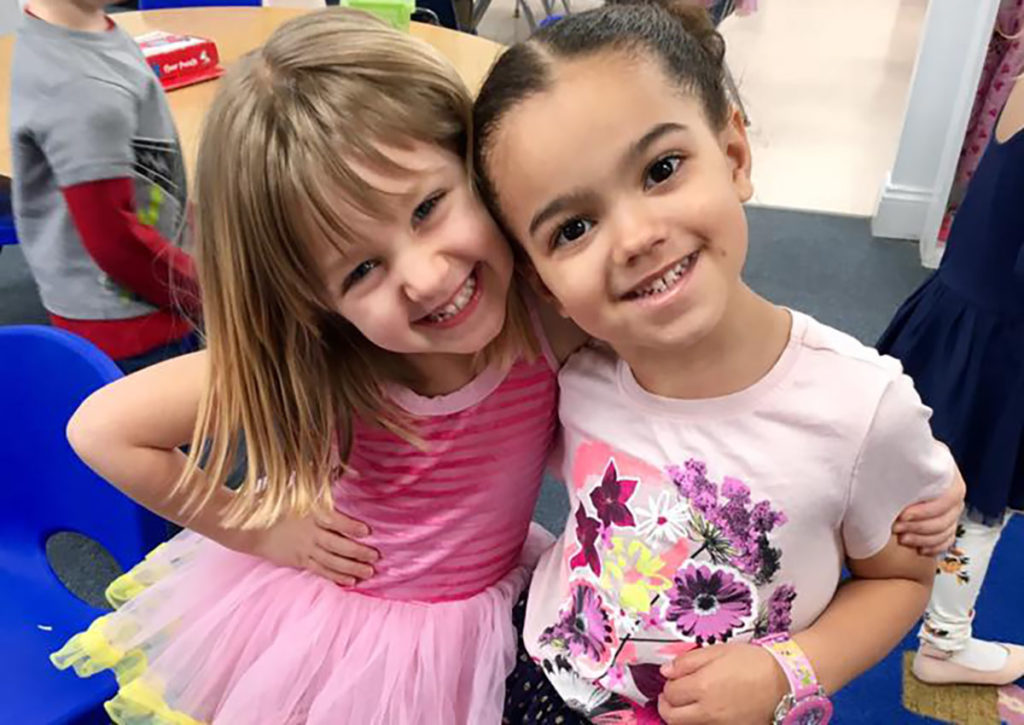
x=237 y=31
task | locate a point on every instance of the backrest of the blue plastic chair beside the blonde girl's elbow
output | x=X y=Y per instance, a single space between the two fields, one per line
x=45 y=488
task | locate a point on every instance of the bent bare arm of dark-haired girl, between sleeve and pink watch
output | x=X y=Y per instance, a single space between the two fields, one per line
x=870 y=615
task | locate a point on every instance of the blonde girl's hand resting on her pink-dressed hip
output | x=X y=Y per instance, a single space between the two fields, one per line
x=322 y=544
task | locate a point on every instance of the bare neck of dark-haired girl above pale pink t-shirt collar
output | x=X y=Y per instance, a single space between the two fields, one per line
x=737 y=354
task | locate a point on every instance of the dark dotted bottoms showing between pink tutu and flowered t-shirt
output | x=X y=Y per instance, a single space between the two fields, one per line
x=530 y=697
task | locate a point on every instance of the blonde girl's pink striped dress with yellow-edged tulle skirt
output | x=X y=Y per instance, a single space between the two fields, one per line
x=218 y=636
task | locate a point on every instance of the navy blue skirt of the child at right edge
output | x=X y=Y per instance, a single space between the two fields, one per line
x=968 y=365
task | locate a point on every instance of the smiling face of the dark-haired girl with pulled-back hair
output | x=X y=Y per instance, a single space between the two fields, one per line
x=628 y=202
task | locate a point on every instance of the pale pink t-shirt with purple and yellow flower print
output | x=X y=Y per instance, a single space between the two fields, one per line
x=702 y=522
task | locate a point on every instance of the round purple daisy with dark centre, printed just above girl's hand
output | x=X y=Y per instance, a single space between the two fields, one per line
x=709 y=604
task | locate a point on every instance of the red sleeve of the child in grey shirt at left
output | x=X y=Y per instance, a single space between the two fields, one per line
x=135 y=255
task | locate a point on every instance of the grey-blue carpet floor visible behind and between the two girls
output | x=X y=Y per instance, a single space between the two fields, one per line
x=828 y=267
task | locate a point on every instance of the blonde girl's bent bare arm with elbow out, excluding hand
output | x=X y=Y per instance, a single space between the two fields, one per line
x=131 y=432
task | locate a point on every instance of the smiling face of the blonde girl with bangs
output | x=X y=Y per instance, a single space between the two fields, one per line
x=434 y=275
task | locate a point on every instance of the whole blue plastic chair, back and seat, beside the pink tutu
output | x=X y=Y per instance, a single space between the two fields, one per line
x=46 y=489
